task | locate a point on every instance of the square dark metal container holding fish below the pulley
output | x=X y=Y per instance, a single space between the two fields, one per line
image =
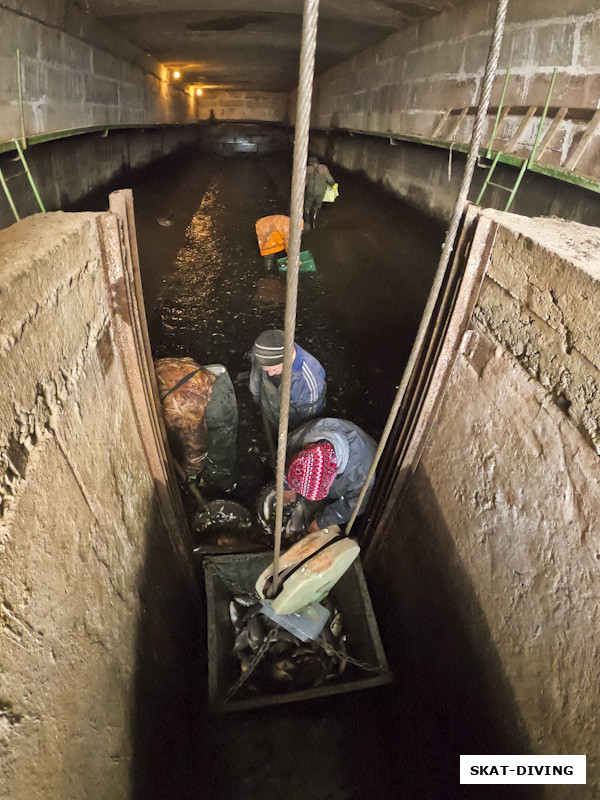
x=229 y=574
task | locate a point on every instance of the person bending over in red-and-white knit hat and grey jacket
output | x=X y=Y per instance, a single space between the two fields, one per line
x=328 y=461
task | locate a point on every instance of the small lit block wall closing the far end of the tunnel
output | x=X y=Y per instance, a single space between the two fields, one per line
x=228 y=105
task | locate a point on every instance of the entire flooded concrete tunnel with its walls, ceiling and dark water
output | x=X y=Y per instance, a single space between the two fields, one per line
x=481 y=543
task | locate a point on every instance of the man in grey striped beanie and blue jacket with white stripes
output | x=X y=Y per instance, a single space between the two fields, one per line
x=308 y=385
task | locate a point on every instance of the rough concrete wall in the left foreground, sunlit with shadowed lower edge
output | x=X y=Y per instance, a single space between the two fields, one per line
x=89 y=587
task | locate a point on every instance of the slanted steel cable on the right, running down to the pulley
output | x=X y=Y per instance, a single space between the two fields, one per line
x=486 y=90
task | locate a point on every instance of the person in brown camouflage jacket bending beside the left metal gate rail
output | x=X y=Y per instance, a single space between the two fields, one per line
x=201 y=417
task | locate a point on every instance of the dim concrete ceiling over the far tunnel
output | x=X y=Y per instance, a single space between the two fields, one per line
x=238 y=44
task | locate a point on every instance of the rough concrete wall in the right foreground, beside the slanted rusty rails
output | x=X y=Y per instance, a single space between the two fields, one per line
x=501 y=523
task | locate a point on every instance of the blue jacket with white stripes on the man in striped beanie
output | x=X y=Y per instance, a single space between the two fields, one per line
x=308 y=389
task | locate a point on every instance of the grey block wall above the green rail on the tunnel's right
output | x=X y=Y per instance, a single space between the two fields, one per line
x=404 y=84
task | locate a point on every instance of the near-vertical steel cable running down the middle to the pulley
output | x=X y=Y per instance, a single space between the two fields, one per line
x=307 y=65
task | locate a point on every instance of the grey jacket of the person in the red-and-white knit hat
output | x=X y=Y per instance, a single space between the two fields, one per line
x=354 y=453
